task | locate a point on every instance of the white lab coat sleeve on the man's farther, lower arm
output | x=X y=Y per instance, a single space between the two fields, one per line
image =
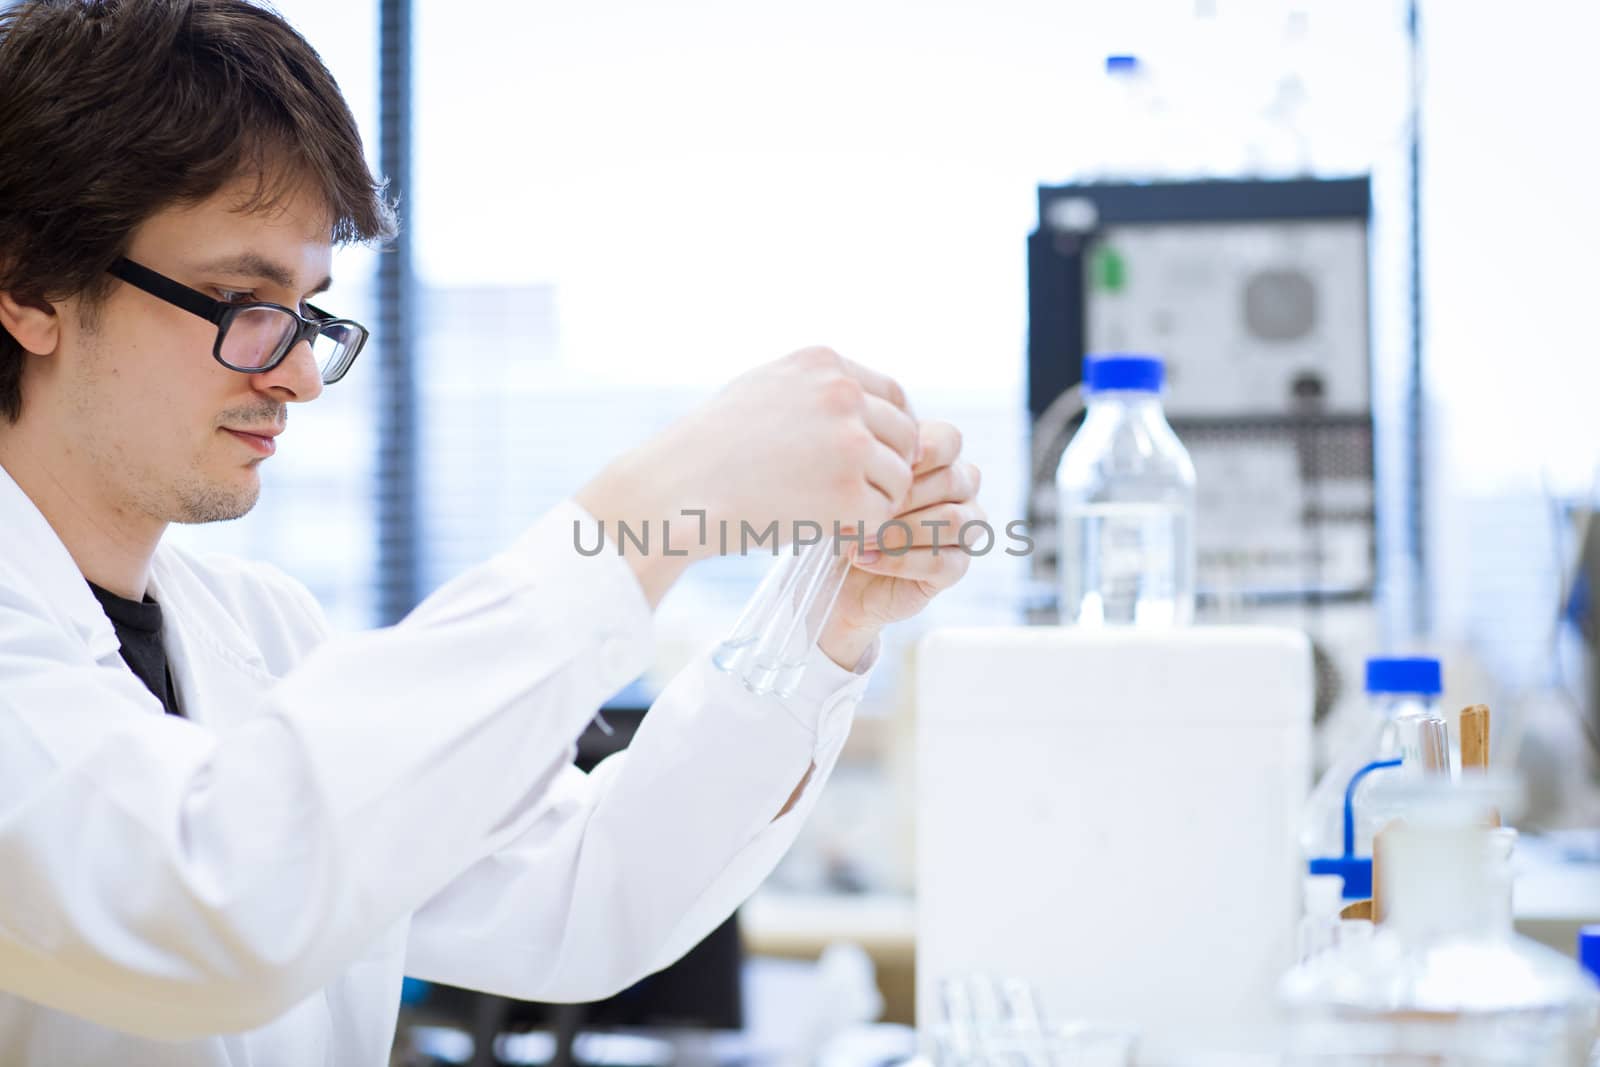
x=626 y=869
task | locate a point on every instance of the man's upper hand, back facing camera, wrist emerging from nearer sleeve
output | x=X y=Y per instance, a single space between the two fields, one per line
x=807 y=438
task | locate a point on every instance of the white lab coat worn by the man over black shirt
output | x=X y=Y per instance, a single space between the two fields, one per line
x=249 y=885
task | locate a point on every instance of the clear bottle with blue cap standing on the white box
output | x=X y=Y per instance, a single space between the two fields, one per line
x=1126 y=500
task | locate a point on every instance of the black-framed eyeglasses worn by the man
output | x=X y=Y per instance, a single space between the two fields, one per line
x=257 y=337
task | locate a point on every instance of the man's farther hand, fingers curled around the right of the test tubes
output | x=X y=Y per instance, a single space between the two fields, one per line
x=908 y=573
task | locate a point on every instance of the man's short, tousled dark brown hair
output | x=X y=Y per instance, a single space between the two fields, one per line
x=116 y=110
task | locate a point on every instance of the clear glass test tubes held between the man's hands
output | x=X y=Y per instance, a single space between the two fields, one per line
x=775 y=636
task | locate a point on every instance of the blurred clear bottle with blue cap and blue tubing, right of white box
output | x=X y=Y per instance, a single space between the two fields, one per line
x=1337 y=833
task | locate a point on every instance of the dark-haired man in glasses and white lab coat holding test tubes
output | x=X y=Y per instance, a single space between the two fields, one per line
x=226 y=834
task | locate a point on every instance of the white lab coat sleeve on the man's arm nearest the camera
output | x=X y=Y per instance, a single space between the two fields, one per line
x=172 y=881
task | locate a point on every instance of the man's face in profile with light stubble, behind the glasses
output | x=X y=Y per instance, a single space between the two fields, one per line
x=153 y=422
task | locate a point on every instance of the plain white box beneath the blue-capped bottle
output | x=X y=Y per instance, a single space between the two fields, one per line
x=1111 y=815
